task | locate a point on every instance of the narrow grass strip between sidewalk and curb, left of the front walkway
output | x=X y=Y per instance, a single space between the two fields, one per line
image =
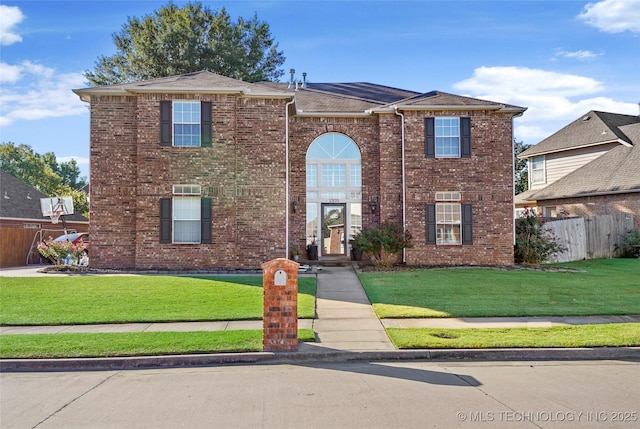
x=49 y=346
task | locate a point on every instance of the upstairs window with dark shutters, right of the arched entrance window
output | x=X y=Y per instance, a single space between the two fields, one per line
x=447 y=137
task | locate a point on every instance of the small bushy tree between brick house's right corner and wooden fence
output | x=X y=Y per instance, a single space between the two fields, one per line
x=534 y=243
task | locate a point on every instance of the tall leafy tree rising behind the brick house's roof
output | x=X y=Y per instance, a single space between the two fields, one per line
x=175 y=40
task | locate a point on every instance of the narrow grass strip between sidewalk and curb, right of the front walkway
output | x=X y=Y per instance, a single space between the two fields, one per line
x=606 y=335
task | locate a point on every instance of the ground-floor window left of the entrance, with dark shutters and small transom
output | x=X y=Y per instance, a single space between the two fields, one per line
x=185 y=218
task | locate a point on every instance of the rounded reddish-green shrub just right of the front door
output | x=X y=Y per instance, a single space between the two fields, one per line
x=383 y=243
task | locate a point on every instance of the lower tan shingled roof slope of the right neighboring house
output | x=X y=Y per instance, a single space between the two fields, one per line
x=616 y=171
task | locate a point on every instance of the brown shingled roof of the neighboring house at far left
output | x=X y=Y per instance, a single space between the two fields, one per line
x=18 y=200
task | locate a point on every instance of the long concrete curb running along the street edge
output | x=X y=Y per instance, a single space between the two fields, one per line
x=173 y=361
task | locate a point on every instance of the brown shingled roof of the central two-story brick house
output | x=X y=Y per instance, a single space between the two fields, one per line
x=355 y=98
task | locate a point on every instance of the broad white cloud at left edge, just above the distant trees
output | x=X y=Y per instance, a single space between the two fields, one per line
x=32 y=91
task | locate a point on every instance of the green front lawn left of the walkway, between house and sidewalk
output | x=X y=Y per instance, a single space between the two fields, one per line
x=126 y=299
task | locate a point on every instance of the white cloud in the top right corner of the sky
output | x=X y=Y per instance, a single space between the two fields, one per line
x=613 y=16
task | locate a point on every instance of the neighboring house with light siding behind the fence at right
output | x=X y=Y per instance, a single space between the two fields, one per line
x=590 y=167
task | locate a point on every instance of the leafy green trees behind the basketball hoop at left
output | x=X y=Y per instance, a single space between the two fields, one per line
x=44 y=173
